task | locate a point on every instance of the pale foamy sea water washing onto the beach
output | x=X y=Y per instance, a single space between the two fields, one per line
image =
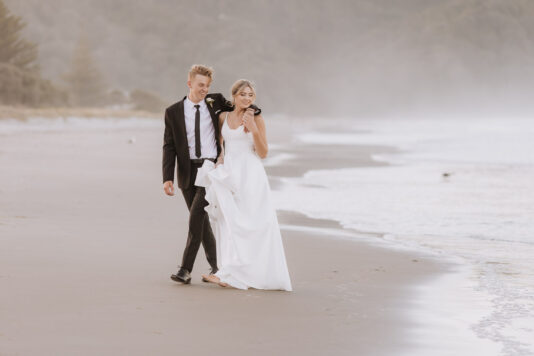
x=460 y=189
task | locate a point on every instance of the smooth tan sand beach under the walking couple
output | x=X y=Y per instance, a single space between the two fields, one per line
x=88 y=242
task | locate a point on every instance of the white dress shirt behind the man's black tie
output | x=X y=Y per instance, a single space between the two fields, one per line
x=208 y=146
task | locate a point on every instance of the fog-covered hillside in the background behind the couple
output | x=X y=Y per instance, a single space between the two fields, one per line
x=334 y=58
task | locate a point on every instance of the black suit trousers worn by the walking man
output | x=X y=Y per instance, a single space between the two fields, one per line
x=199 y=225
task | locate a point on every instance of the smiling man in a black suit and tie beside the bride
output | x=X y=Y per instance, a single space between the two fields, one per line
x=191 y=137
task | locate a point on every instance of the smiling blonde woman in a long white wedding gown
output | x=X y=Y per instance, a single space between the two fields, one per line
x=249 y=245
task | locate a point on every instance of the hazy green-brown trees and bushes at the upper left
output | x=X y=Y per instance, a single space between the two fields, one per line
x=22 y=84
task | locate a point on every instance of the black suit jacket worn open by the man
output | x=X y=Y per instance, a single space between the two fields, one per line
x=175 y=145
